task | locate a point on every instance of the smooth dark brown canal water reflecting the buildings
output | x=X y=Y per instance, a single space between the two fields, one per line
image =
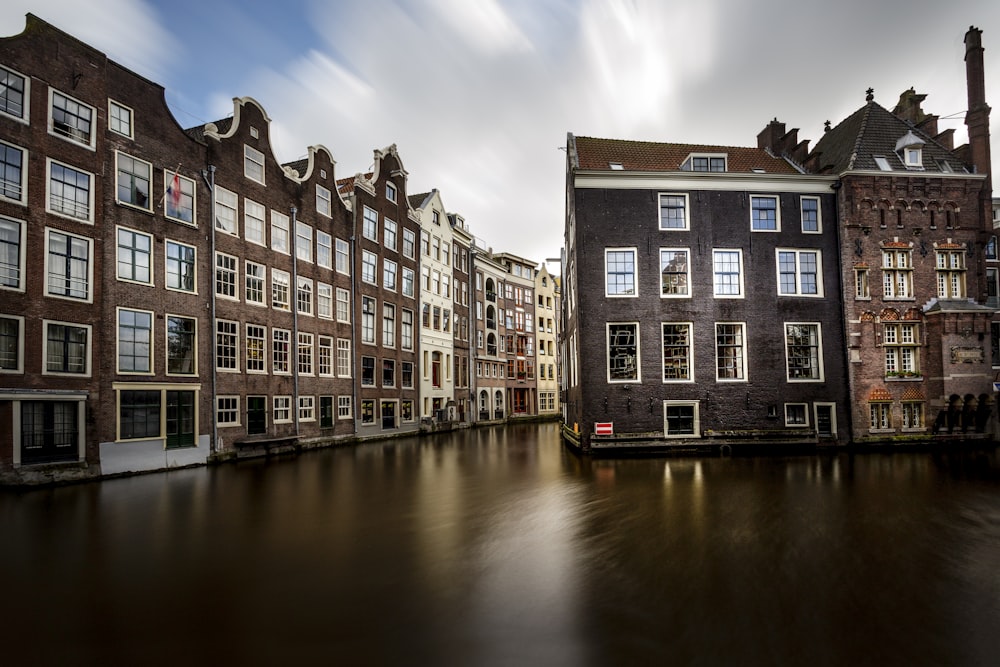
x=500 y=547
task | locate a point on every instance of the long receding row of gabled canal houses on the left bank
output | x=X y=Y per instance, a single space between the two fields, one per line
x=170 y=296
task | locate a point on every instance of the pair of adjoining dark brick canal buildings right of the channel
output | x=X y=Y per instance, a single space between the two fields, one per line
x=780 y=296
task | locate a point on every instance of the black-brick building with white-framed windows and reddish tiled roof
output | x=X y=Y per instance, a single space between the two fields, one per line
x=702 y=298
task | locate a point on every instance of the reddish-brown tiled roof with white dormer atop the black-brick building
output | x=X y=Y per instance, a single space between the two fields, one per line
x=593 y=153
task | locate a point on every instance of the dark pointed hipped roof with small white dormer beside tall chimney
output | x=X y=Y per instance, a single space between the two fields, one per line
x=873 y=130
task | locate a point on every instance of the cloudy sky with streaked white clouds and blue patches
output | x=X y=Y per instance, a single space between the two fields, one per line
x=478 y=95
